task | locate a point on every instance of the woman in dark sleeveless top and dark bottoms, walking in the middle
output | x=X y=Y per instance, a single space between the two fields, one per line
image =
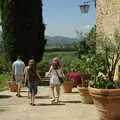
x=31 y=76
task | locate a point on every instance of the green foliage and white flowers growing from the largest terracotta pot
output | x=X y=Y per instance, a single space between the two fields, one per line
x=109 y=51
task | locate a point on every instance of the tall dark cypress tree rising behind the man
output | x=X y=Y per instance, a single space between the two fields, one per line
x=23 y=29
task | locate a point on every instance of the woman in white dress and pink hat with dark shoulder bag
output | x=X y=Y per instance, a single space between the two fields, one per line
x=56 y=71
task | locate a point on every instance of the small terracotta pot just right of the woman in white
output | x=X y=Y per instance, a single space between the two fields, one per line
x=67 y=86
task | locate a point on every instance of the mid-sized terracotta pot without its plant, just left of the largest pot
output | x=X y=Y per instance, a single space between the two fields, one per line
x=86 y=98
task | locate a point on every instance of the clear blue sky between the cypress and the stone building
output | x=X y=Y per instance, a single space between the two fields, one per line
x=63 y=17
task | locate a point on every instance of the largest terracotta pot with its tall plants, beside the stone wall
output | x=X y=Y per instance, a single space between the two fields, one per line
x=104 y=89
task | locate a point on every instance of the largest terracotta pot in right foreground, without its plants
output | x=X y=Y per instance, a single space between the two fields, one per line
x=107 y=102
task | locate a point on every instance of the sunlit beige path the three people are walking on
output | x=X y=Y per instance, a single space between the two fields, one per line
x=70 y=108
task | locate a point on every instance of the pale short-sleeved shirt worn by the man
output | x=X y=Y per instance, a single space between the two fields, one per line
x=18 y=67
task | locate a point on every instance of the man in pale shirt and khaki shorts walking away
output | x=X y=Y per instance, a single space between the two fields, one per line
x=18 y=73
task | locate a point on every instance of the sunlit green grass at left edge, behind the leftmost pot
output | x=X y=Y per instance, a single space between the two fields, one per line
x=3 y=81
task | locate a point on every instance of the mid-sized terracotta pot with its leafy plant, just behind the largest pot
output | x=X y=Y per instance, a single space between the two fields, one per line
x=85 y=73
